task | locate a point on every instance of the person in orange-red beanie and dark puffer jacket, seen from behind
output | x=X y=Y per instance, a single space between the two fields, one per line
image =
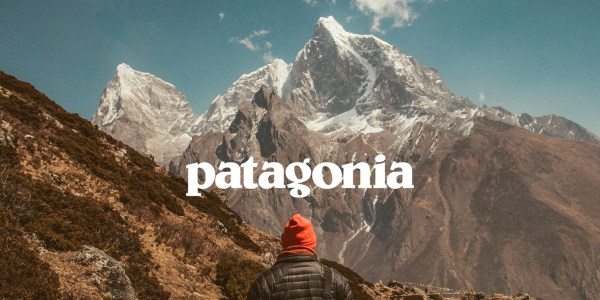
x=298 y=273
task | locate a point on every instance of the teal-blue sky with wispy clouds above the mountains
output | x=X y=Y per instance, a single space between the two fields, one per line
x=538 y=57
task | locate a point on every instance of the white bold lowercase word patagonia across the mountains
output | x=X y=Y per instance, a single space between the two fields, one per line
x=274 y=175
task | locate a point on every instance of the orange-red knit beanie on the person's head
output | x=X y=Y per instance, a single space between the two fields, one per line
x=298 y=232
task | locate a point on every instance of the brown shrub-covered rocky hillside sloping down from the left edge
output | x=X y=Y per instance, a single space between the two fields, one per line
x=85 y=216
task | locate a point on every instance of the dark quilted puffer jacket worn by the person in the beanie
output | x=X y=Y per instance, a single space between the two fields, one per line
x=298 y=276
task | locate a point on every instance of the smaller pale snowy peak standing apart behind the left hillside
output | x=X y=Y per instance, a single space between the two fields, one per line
x=146 y=113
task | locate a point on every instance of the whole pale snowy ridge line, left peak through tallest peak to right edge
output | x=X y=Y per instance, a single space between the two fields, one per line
x=339 y=80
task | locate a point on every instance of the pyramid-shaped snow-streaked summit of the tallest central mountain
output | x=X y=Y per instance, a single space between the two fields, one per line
x=362 y=72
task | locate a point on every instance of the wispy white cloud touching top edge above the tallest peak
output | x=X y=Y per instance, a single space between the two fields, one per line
x=401 y=12
